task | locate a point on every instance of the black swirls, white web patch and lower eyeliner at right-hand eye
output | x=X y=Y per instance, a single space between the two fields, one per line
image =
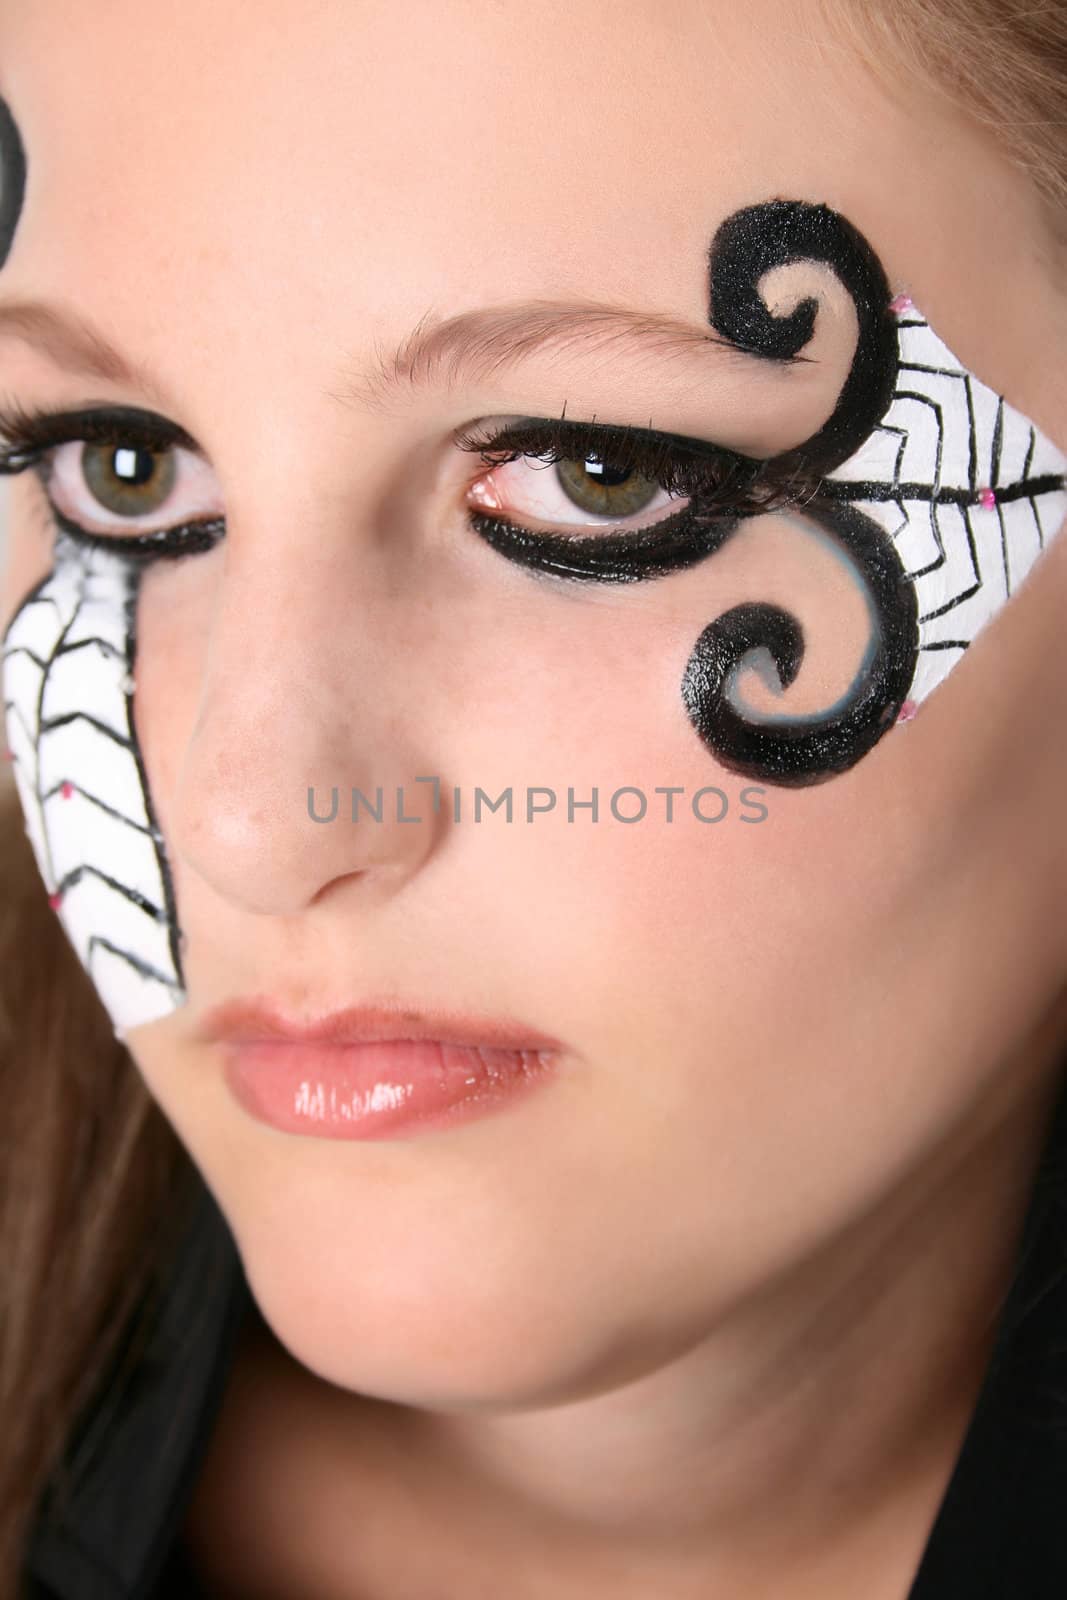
x=937 y=494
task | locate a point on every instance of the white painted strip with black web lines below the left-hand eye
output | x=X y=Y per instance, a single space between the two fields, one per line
x=68 y=671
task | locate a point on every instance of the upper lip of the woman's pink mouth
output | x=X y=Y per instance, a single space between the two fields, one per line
x=252 y=1022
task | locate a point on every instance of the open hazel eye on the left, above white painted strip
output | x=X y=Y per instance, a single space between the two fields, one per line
x=129 y=487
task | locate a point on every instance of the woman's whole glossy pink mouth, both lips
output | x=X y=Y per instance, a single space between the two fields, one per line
x=375 y=1071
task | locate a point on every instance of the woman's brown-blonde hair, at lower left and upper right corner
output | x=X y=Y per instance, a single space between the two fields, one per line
x=94 y=1182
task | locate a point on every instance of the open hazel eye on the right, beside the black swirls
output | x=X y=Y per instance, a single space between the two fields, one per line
x=593 y=487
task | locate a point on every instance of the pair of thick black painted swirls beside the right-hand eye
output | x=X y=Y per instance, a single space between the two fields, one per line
x=809 y=750
